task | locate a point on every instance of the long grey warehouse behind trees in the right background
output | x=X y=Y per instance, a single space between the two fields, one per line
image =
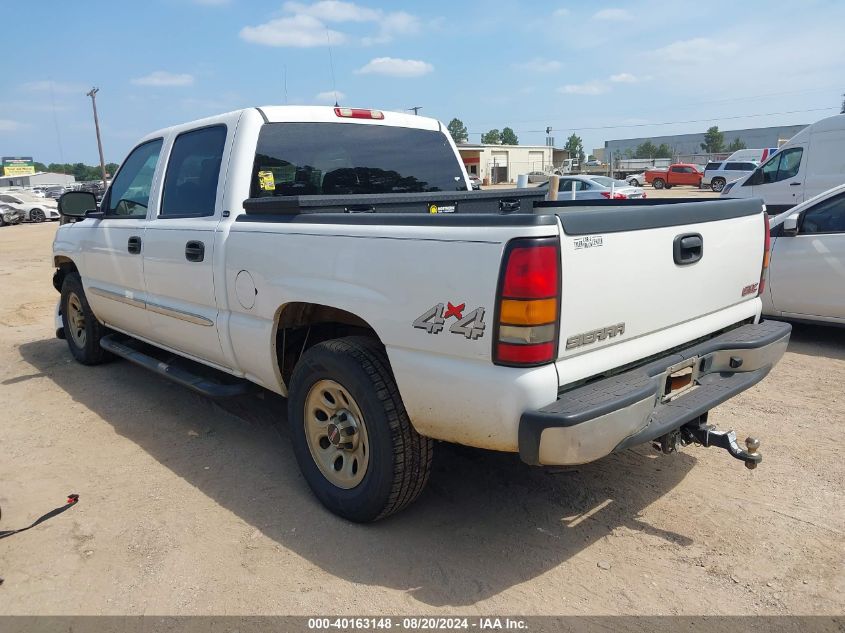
x=689 y=144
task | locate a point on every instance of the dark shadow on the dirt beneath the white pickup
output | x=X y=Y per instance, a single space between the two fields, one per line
x=485 y=523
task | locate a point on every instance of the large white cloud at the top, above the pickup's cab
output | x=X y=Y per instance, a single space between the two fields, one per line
x=306 y=24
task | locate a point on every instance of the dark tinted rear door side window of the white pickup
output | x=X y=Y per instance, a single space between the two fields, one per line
x=190 y=184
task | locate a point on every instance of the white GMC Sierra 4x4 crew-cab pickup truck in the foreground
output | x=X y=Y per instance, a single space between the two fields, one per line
x=337 y=257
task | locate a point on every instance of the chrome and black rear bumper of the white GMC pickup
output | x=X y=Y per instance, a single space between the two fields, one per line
x=608 y=415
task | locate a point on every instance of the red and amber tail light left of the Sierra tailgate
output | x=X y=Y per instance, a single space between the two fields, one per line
x=528 y=303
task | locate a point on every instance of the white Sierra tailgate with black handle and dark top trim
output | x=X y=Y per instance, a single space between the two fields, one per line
x=632 y=269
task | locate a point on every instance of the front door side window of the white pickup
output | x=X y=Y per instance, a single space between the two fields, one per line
x=129 y=194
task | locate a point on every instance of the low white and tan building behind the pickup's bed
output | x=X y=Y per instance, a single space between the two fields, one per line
x=503 y=163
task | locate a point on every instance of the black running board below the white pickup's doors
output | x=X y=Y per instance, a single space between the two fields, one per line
x=187 y=373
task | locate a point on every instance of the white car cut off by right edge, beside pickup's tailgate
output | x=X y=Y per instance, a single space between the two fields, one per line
x=806 y=279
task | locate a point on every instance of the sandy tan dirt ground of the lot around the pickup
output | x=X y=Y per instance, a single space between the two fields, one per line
x=188 y=506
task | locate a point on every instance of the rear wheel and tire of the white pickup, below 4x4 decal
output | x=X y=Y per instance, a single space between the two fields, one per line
x=354 y=374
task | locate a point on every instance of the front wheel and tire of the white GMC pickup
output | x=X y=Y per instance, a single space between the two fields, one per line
x=82 y=335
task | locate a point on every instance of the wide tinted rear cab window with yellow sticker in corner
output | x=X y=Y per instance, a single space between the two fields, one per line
x=294 y=159
